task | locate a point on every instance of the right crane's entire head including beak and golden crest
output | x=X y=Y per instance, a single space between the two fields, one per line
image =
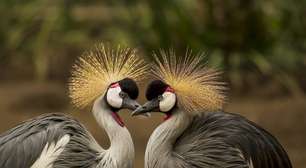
x=183 y=82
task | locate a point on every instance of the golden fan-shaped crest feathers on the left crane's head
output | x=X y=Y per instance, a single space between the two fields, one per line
x=96 y=69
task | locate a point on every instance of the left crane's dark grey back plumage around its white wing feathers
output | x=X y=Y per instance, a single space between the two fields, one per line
x=33 y=135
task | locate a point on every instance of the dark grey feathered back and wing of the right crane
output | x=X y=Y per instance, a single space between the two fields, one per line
x=224 y=140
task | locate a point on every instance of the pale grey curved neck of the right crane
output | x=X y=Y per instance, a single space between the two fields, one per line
x=160 y=145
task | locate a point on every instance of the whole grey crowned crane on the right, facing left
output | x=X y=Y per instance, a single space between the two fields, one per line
x=196 y=131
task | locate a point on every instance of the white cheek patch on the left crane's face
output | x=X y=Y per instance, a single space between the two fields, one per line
x=113 y=97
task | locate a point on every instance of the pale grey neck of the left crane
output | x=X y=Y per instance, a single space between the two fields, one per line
x=121 y=150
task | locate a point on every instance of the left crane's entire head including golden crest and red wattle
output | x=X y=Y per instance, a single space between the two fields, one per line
x=107 y=76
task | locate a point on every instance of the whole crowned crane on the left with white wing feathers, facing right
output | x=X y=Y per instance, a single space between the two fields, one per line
x=104 y=78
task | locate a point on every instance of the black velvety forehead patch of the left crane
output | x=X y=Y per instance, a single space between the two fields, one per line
x=129 y=86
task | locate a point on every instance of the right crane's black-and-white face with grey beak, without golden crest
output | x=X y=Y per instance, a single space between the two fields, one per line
x=161 y=98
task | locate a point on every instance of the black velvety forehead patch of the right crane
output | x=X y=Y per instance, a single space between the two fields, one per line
x=155 y=88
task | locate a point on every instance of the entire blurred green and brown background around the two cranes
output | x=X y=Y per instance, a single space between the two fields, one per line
x=259 y=44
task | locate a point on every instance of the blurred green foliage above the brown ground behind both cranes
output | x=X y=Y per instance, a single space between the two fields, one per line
x=252 y=40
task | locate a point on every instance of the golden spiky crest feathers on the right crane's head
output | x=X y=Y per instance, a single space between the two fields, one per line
x=196 y=86
